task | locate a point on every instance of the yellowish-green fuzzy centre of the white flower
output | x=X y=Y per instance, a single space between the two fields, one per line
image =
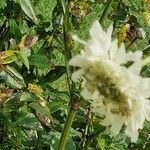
x=100 y=77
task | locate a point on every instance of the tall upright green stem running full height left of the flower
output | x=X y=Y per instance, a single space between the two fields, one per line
x=67 y=51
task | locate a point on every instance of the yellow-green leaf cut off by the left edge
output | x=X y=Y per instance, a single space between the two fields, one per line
x=7 y=57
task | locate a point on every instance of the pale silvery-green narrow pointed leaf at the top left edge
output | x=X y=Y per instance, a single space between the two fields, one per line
x=28 y=9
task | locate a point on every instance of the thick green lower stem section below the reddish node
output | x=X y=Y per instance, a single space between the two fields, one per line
x=65 y=132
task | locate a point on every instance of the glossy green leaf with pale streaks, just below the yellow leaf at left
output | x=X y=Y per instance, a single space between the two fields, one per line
x=12 y=78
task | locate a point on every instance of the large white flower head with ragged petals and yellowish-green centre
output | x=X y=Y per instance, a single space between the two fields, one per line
x=111 y=79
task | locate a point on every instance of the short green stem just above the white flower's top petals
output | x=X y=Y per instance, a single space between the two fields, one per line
x=105 y=11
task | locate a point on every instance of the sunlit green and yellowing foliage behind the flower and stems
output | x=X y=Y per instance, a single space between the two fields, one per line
x=34 y=93
